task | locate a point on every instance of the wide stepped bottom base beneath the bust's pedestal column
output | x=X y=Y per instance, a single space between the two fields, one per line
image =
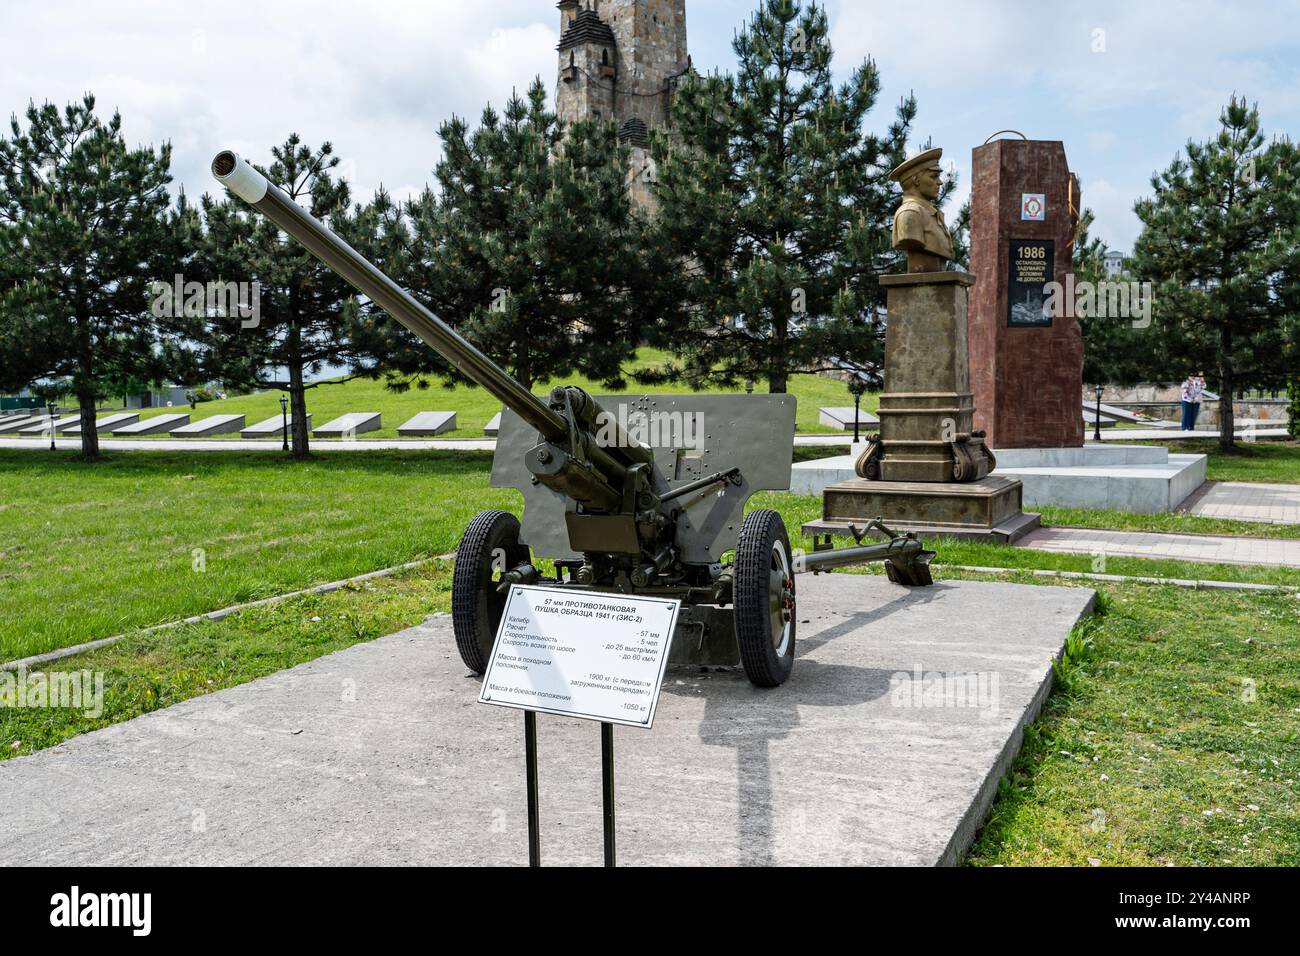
x=986 y=511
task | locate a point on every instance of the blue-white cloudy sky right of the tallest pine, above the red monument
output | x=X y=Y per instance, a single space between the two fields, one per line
x=1163 y=79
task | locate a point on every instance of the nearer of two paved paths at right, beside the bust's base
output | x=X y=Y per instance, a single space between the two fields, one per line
x=1139 y=544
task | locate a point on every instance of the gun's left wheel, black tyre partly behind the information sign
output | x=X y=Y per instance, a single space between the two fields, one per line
x=488 y=550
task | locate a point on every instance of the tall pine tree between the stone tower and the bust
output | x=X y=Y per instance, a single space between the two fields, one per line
x=779 y=204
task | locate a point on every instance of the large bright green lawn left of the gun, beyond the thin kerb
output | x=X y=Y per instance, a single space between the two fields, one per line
x=90 y=551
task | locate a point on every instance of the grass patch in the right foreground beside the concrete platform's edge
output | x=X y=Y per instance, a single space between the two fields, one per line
x=1173 y=739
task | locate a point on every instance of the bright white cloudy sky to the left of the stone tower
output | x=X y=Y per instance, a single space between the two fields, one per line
x=375 y=79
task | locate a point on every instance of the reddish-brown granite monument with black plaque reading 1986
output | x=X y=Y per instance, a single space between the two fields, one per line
x=1026 y=365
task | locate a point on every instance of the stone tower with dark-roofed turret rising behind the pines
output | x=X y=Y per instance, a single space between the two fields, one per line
x=622 y=60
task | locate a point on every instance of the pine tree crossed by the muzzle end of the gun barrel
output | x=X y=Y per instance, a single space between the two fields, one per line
x=307 y=314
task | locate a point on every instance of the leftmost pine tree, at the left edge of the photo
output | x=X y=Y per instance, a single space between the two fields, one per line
x=85 y=228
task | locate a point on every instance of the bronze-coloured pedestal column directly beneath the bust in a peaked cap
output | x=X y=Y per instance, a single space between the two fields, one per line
x=928 y=412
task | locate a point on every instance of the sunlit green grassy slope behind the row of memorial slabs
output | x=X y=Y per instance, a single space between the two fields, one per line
x=474 y=406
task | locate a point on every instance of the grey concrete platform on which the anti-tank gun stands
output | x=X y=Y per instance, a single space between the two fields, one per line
x=382 y=755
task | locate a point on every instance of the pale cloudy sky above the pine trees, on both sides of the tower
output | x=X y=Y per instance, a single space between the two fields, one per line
x=1123 y=84
